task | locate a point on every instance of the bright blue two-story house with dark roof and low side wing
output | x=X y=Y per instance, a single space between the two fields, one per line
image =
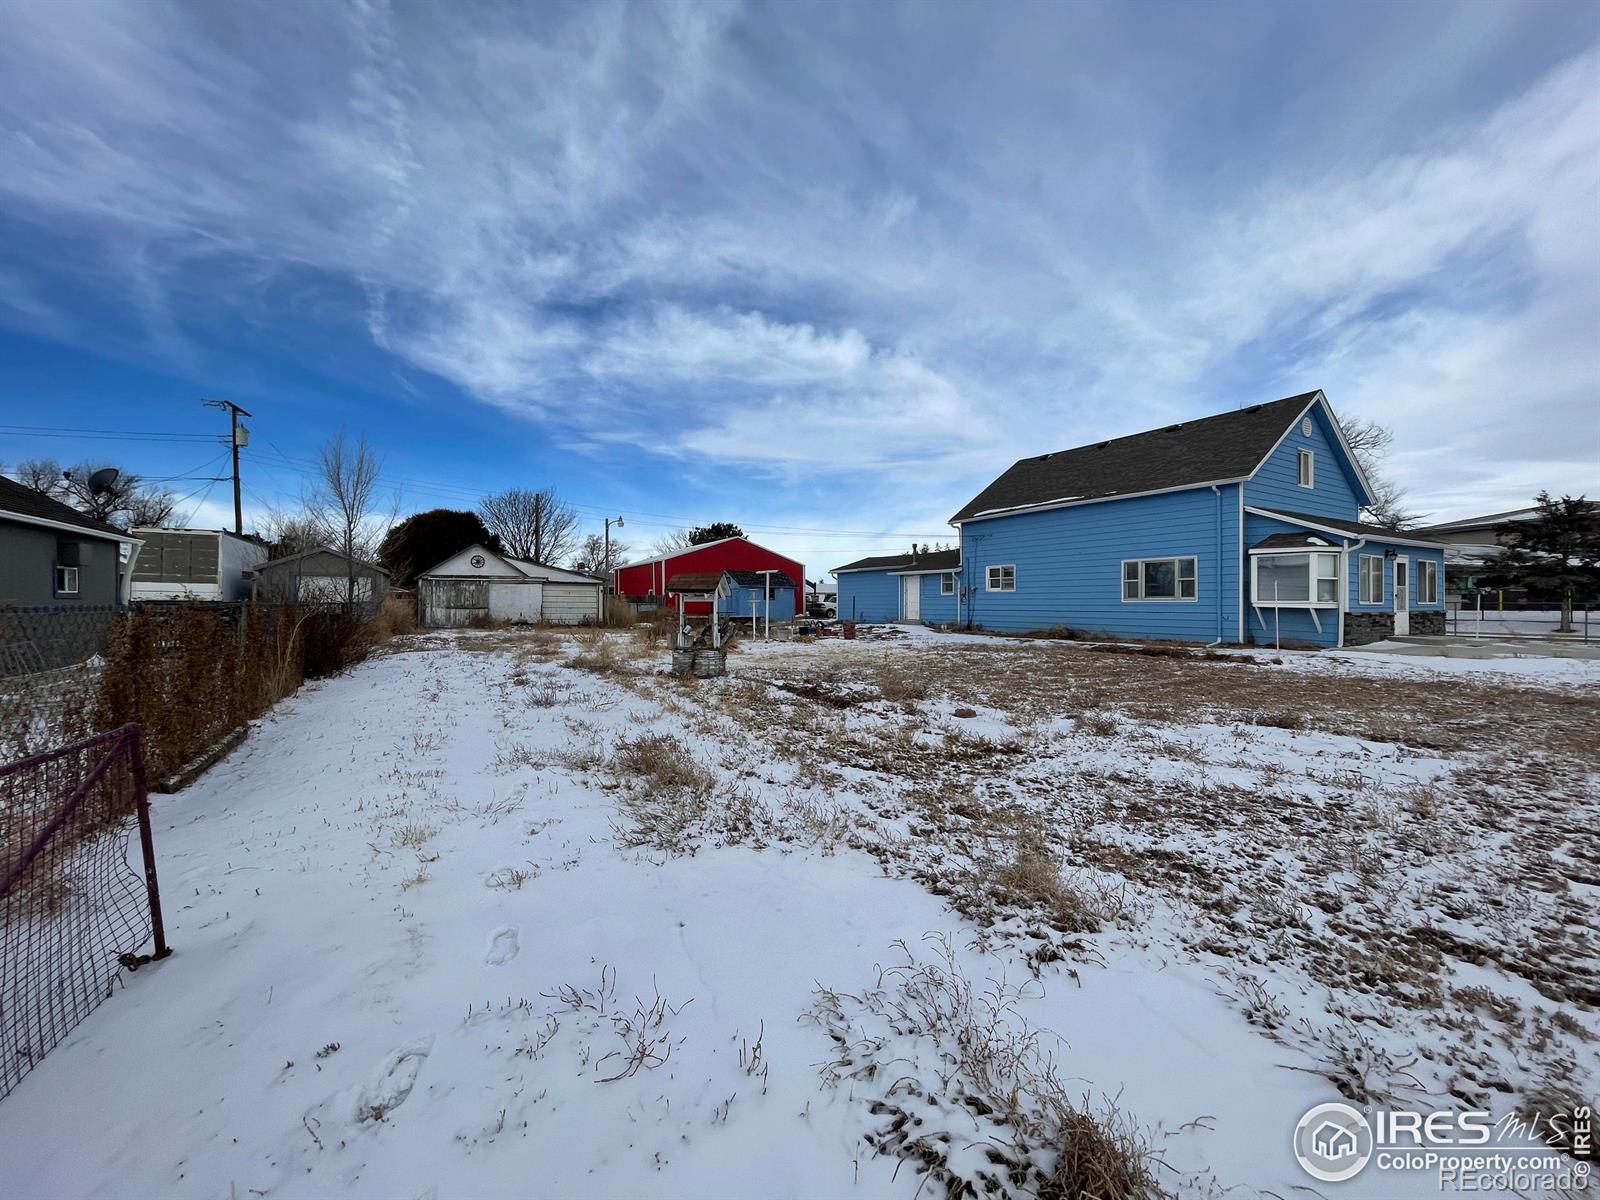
x=1239 y=527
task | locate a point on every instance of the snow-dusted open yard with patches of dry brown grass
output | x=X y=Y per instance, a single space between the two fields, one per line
x=516 y=914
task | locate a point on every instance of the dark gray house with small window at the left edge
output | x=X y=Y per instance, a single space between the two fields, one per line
x=54 y=556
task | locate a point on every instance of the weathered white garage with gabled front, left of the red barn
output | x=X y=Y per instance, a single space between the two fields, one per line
x=479 y=585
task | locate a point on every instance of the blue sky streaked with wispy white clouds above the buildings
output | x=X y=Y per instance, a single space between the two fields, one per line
x=820 y=270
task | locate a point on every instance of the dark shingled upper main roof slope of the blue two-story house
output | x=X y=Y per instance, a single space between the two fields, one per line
x=1223 y=447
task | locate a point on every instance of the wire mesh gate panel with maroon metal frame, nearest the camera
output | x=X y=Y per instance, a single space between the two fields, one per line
x=74 y=911
